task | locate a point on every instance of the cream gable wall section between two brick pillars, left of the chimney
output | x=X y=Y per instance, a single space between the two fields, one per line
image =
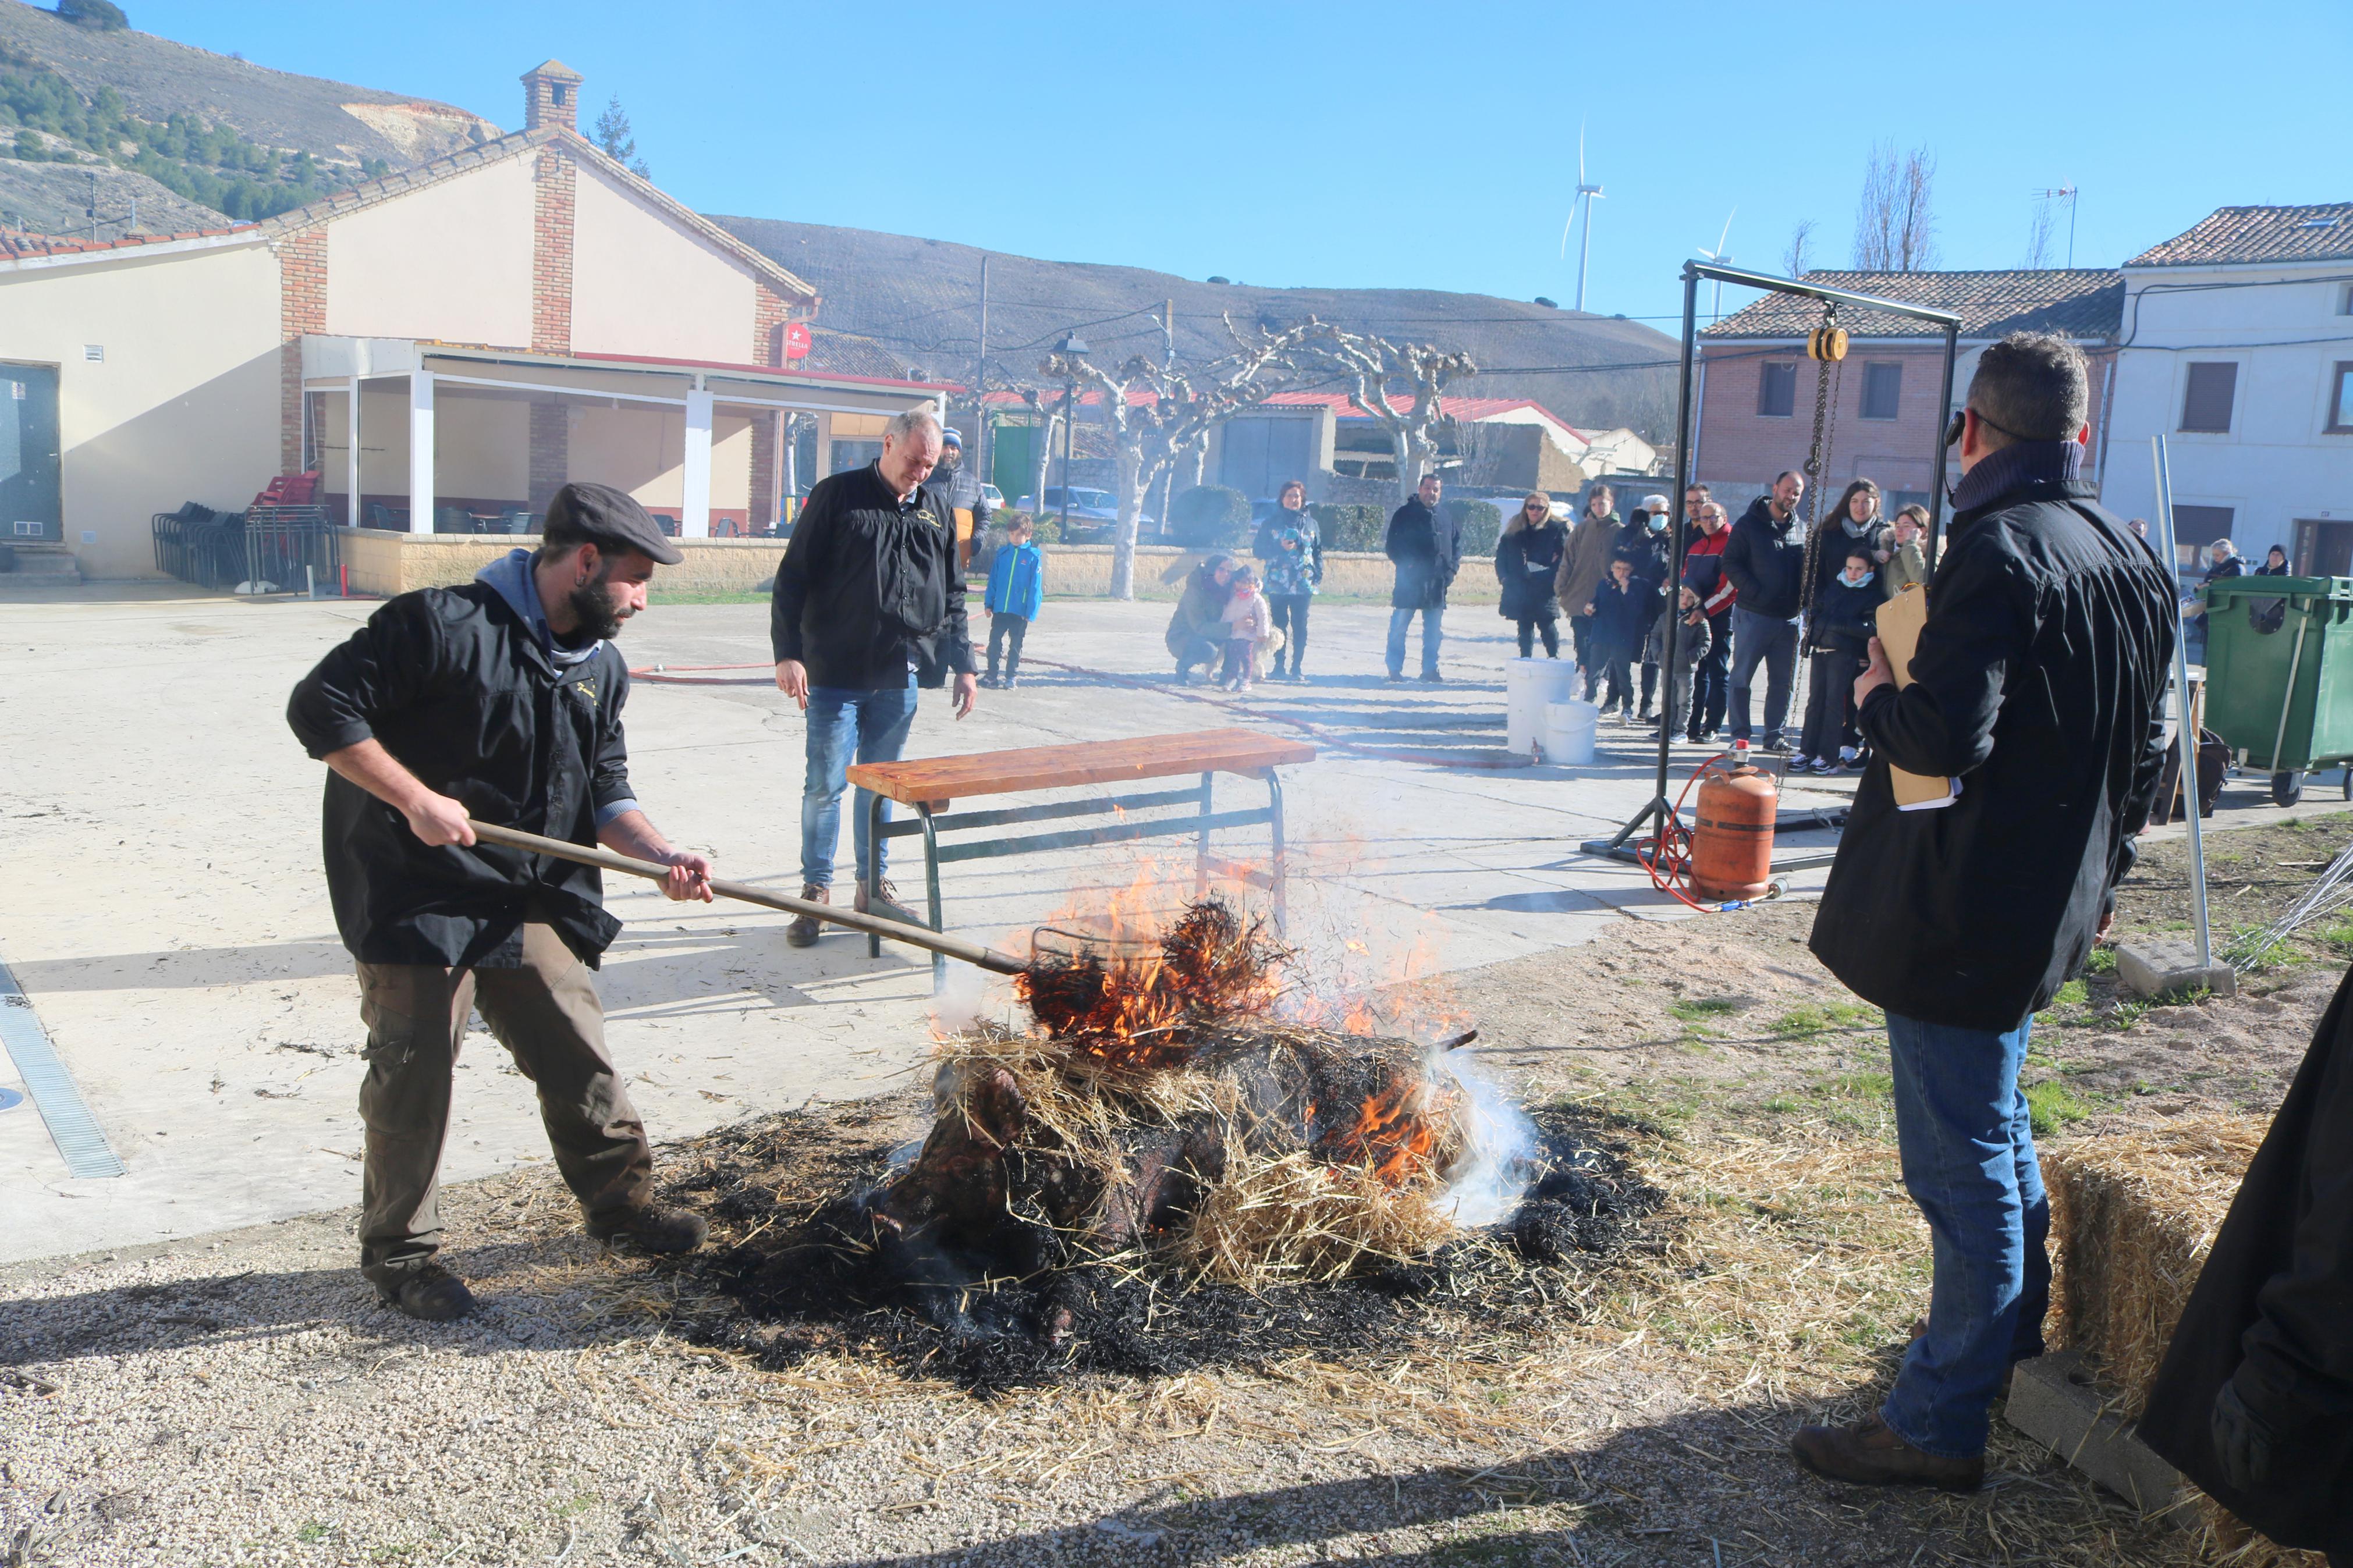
x=451 y=262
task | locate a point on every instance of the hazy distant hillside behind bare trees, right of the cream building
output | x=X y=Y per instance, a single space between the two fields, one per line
x=921 y=300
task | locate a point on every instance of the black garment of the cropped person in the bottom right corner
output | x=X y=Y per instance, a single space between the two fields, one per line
x=2274 y=1315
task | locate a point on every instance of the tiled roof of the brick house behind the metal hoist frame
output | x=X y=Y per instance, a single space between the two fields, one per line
x=2079 y=302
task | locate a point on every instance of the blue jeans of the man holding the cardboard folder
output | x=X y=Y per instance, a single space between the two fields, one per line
x=1971 y=1165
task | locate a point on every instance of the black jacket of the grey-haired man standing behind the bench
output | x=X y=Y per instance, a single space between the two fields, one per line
x=872 y=587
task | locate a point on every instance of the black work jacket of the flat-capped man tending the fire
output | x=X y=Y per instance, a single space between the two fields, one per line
x=460 y=690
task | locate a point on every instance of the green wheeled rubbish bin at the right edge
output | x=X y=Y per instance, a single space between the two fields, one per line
x=2281 y=676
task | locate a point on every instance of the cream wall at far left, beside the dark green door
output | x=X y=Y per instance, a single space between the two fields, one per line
x=180 y=408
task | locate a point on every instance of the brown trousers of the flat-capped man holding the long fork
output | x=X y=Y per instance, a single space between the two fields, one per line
x=547 y=1014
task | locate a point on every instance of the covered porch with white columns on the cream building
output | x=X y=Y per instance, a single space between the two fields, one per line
x=436 y=438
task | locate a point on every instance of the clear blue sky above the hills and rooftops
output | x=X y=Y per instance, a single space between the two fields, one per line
x=1394 y=145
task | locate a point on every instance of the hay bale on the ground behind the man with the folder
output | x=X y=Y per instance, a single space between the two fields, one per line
x=2133 y=1219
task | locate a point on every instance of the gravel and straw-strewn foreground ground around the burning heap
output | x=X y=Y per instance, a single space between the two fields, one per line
x=241 y=1400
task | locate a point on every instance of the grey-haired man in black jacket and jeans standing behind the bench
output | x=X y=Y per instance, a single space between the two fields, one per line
x=869 y=605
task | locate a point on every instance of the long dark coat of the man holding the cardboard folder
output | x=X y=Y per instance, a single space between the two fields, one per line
x=2039 y=683
